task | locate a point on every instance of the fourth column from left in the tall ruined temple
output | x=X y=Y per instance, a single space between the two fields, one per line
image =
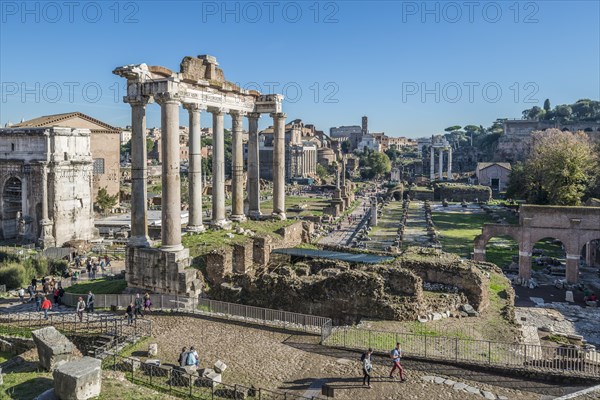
x=218 y=187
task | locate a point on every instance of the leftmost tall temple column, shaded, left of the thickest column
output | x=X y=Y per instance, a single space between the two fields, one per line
x=139 y=172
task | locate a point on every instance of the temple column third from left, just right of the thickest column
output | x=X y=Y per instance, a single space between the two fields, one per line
x=195 y=169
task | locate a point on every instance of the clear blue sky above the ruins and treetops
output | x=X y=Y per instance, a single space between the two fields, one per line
x=373 y=58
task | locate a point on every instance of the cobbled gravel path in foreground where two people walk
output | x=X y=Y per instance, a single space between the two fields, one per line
x=276 y=360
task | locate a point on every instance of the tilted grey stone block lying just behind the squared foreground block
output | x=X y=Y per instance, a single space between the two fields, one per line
x=53 y=347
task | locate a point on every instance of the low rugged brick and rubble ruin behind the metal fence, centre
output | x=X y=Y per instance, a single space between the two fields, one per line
x=348 y=293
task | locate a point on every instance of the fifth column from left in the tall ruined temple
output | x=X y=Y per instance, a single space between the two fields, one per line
x=237 y=169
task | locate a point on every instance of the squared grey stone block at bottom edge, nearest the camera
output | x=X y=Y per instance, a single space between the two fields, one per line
x=78 y=379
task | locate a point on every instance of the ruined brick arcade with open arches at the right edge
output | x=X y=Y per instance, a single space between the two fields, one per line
x=578 y=228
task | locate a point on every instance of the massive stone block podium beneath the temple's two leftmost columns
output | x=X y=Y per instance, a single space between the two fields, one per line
x=160 y=271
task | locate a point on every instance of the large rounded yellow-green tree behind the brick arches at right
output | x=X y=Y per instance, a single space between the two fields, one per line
x=560 y=169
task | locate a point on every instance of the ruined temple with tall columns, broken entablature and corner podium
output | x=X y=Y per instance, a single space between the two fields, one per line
x=199 y=86
